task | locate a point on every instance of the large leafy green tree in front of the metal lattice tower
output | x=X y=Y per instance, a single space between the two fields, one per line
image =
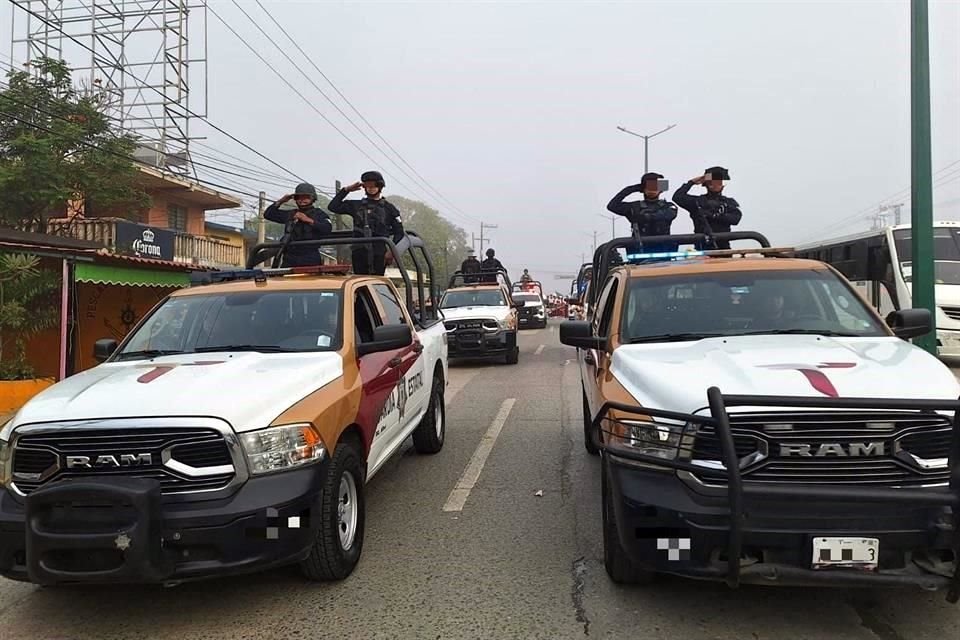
x=58 y=146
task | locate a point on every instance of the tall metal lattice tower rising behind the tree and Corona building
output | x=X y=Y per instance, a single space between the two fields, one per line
x=143 y=52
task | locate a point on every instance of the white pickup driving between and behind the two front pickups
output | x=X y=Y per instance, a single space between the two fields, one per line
x=481 y=317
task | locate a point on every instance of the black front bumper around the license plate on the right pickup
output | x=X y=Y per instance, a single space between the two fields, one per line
x=776 y=539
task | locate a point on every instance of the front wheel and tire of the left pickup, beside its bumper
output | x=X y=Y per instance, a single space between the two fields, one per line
x=335 y=552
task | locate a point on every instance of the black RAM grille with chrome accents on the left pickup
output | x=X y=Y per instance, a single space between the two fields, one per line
x=183 y=460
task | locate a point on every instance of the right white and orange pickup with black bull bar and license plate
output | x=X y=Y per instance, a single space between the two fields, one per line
x=760 y=423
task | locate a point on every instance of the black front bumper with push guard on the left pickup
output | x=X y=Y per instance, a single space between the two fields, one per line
x=120 y=530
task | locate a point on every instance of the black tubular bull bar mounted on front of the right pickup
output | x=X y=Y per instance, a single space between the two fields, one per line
x=739 y=493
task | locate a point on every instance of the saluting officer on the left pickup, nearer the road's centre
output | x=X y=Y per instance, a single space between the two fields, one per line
x=373 y=216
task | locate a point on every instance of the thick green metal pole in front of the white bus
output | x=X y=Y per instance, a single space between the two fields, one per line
x=921 y=200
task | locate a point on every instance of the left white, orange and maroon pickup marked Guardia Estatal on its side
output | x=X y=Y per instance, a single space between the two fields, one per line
x=233 y=430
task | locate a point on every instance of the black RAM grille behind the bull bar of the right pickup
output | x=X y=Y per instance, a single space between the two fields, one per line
x=879 y=448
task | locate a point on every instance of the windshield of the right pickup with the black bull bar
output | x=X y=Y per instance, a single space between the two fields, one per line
x=742 y=303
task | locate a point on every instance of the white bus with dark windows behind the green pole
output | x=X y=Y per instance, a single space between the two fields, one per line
x=878 y=263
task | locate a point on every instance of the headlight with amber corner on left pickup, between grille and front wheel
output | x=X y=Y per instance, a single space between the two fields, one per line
x=285 y=447
